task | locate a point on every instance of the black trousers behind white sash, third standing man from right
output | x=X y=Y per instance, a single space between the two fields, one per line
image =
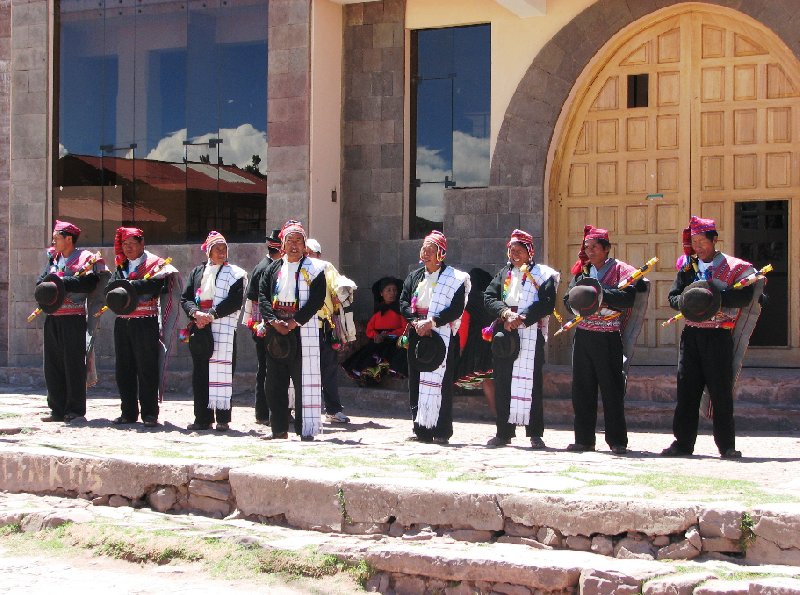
x=502 y=372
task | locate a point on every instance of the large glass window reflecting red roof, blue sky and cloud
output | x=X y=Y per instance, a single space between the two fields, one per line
x=162 y=118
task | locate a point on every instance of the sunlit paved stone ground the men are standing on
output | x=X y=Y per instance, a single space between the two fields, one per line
x=373 y=445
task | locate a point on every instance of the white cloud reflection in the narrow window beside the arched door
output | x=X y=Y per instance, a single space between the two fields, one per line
x=470 y=168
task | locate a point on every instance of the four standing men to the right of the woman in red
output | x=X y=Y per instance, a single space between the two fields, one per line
x=608 y=298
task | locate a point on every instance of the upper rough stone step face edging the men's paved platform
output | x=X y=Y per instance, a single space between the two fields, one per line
x=318 y=500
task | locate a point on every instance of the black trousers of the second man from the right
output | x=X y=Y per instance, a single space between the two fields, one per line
x=597 y=362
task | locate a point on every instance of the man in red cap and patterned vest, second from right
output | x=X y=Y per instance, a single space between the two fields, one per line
x=597 y=353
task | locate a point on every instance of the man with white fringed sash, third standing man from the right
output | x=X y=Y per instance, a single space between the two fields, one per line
x=521 y=296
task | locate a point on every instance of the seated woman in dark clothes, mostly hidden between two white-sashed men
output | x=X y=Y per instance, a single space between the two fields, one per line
x=474 y=370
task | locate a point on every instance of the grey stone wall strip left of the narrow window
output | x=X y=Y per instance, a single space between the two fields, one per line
x=372 y=243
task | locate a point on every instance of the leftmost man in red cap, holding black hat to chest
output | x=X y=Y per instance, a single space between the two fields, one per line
x=62 y=291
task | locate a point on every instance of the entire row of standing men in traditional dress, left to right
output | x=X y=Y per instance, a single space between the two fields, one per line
x=293 y=298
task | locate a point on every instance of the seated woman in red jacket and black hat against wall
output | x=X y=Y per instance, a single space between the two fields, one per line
x=381 y=356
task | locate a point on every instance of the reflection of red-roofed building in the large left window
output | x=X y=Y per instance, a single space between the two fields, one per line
x=168 y=200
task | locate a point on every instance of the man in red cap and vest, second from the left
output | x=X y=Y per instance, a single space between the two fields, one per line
x=141 y=344
